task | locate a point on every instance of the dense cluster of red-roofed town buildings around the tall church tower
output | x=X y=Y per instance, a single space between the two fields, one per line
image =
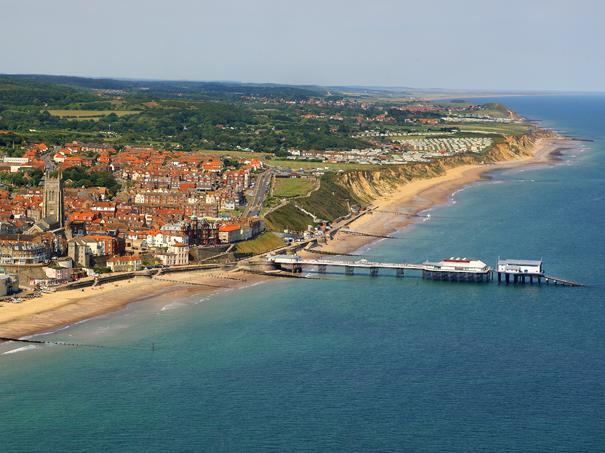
x=168 y=203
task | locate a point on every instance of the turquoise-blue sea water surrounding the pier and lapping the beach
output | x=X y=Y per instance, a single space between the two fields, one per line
x=353 y=363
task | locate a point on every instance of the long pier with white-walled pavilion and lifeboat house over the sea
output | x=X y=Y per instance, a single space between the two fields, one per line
x=449 y=269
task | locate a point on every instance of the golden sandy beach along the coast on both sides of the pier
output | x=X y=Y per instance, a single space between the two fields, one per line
x=59 y=310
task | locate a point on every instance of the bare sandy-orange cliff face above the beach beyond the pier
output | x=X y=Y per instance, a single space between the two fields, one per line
x=368 y=185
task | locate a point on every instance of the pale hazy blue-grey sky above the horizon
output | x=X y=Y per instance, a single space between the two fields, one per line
x=461 y=44
